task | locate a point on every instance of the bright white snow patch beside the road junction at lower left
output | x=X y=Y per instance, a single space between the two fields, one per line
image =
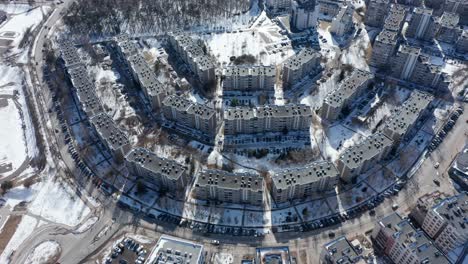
x=57 y=202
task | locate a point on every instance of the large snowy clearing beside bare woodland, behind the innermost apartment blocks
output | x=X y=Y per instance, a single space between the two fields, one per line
x=262 y=40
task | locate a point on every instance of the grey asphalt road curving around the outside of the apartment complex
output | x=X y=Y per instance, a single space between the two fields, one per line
x=77 y=248
